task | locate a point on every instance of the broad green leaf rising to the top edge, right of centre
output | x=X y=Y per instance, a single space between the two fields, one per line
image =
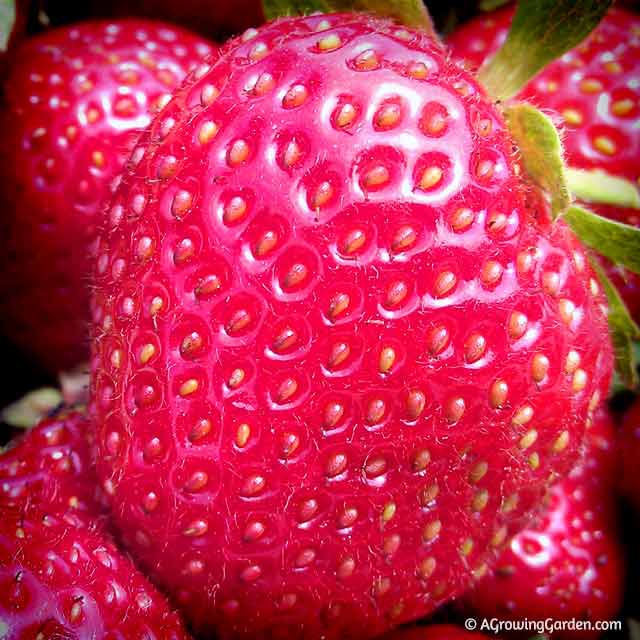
x=541 y=31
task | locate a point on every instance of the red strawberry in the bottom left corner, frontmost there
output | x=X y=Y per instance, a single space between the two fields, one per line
x=61 y=579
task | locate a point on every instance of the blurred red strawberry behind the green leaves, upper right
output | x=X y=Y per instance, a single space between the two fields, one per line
x=594 y=91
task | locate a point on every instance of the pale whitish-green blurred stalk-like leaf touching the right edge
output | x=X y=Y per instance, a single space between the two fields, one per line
x=600 y=187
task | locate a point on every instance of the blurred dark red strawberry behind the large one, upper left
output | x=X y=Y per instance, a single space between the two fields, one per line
x=76 y=99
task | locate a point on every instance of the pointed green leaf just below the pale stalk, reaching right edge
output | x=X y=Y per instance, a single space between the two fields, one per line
x=617 y=241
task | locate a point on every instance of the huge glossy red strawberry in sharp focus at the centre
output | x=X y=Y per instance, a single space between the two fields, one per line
x=339 y=347
